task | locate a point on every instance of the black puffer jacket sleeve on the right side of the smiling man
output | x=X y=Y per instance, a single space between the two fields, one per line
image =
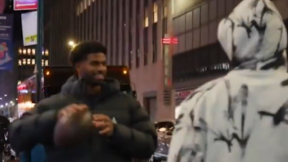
x=139 y=140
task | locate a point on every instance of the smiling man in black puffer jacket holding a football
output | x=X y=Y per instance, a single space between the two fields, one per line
x=122 y=129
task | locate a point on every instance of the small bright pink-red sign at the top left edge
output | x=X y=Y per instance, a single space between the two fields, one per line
x=25 y=5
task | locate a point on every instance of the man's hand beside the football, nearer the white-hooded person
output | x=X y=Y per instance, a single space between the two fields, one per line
x=104 y=124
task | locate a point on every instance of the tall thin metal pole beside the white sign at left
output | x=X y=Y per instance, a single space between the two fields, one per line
x=40 y=35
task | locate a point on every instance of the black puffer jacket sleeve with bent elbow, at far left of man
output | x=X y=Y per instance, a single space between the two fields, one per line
x=25 y=133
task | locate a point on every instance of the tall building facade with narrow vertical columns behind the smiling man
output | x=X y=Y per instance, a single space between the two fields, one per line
x=132 y=31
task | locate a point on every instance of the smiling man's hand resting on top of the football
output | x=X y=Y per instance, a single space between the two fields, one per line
x=72 y=109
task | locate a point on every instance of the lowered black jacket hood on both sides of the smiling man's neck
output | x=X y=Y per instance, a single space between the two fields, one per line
x=76 y=87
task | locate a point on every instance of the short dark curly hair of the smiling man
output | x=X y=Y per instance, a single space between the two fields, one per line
x=82 y=50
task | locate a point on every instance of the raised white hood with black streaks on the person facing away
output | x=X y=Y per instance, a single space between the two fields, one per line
x=254 y=36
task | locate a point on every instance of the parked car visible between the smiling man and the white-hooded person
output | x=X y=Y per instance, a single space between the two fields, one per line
x=164 y=130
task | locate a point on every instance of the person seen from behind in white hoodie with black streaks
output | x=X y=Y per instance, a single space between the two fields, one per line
x=243 y=116
